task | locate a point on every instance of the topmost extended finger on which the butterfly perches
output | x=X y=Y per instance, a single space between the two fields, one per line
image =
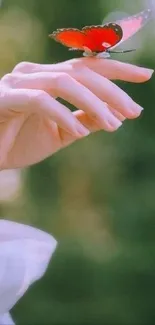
x=108 y=68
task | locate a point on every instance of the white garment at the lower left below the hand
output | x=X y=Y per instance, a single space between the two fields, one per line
x=24 y=256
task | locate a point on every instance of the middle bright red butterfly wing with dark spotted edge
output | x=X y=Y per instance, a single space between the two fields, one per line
x=100 y=38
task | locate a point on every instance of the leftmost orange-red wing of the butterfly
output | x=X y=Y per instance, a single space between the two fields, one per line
x=70 y=37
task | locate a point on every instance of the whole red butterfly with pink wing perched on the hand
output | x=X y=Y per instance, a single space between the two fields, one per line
x=99 y=40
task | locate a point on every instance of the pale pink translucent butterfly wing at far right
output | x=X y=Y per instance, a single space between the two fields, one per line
x=132 y=24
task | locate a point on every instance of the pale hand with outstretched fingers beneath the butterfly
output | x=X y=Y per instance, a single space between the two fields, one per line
x=34 y=124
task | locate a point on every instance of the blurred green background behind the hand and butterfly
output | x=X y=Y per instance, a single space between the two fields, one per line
x=97 y=197
